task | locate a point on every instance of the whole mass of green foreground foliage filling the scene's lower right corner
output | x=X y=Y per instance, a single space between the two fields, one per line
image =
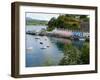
x=73 y=56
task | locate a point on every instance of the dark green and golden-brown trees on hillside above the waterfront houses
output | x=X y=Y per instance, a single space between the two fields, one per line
x=67 y=21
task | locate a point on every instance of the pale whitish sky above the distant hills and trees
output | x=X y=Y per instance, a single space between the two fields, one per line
x=41 y=16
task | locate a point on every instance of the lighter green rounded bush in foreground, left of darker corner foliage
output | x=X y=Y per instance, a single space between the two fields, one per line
x=71 y=55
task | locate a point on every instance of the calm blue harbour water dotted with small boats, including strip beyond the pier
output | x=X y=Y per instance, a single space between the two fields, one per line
x=43 y=50
